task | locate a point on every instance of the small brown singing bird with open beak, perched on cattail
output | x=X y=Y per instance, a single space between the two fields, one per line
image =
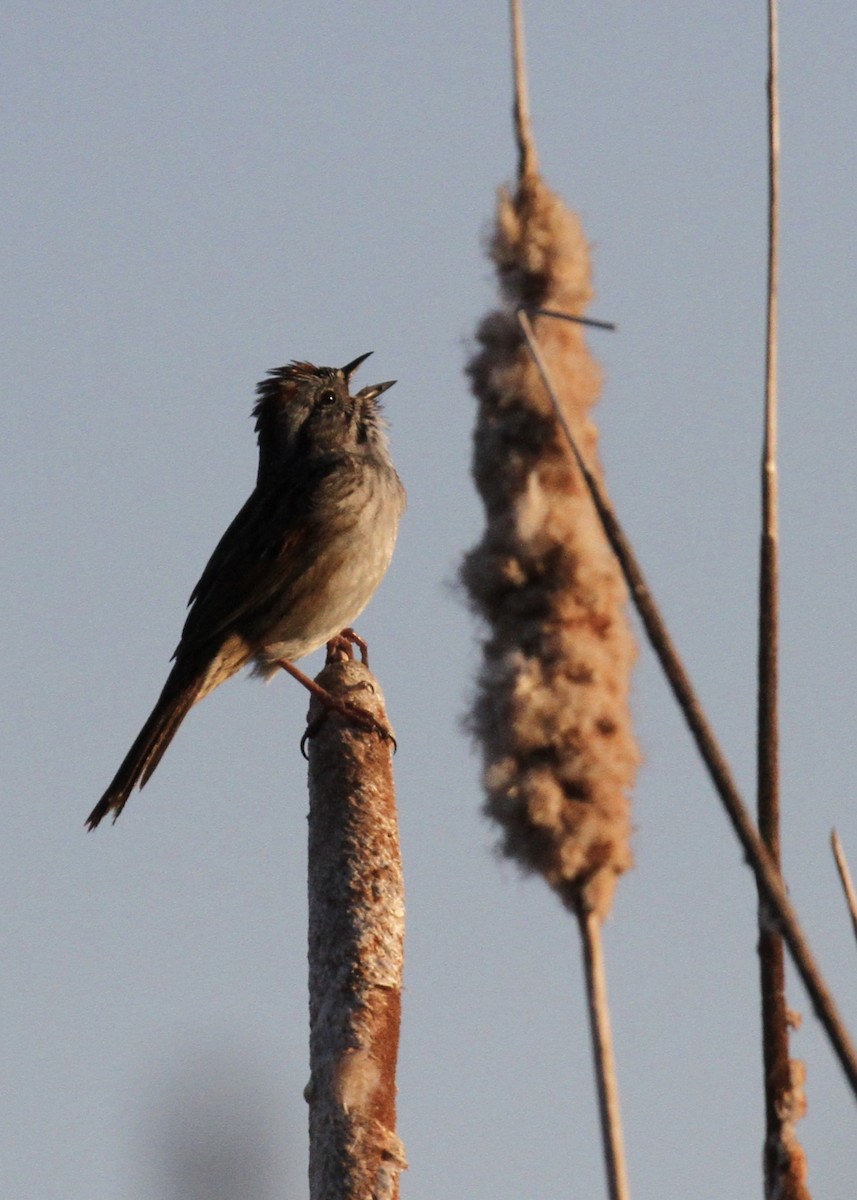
x=298 y=565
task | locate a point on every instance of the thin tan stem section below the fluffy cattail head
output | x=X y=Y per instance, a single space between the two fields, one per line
x=603 y=1055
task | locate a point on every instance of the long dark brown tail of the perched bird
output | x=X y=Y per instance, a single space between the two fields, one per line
x=179 y=695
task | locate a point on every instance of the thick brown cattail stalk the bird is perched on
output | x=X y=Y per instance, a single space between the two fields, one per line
x=356 y=950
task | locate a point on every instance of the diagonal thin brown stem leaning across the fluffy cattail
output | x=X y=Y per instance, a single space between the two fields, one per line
x=766 y=871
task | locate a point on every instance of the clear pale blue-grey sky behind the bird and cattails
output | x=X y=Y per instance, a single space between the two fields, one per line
x=197 y=193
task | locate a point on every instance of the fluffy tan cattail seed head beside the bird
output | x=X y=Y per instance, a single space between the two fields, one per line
x=552 y=709
